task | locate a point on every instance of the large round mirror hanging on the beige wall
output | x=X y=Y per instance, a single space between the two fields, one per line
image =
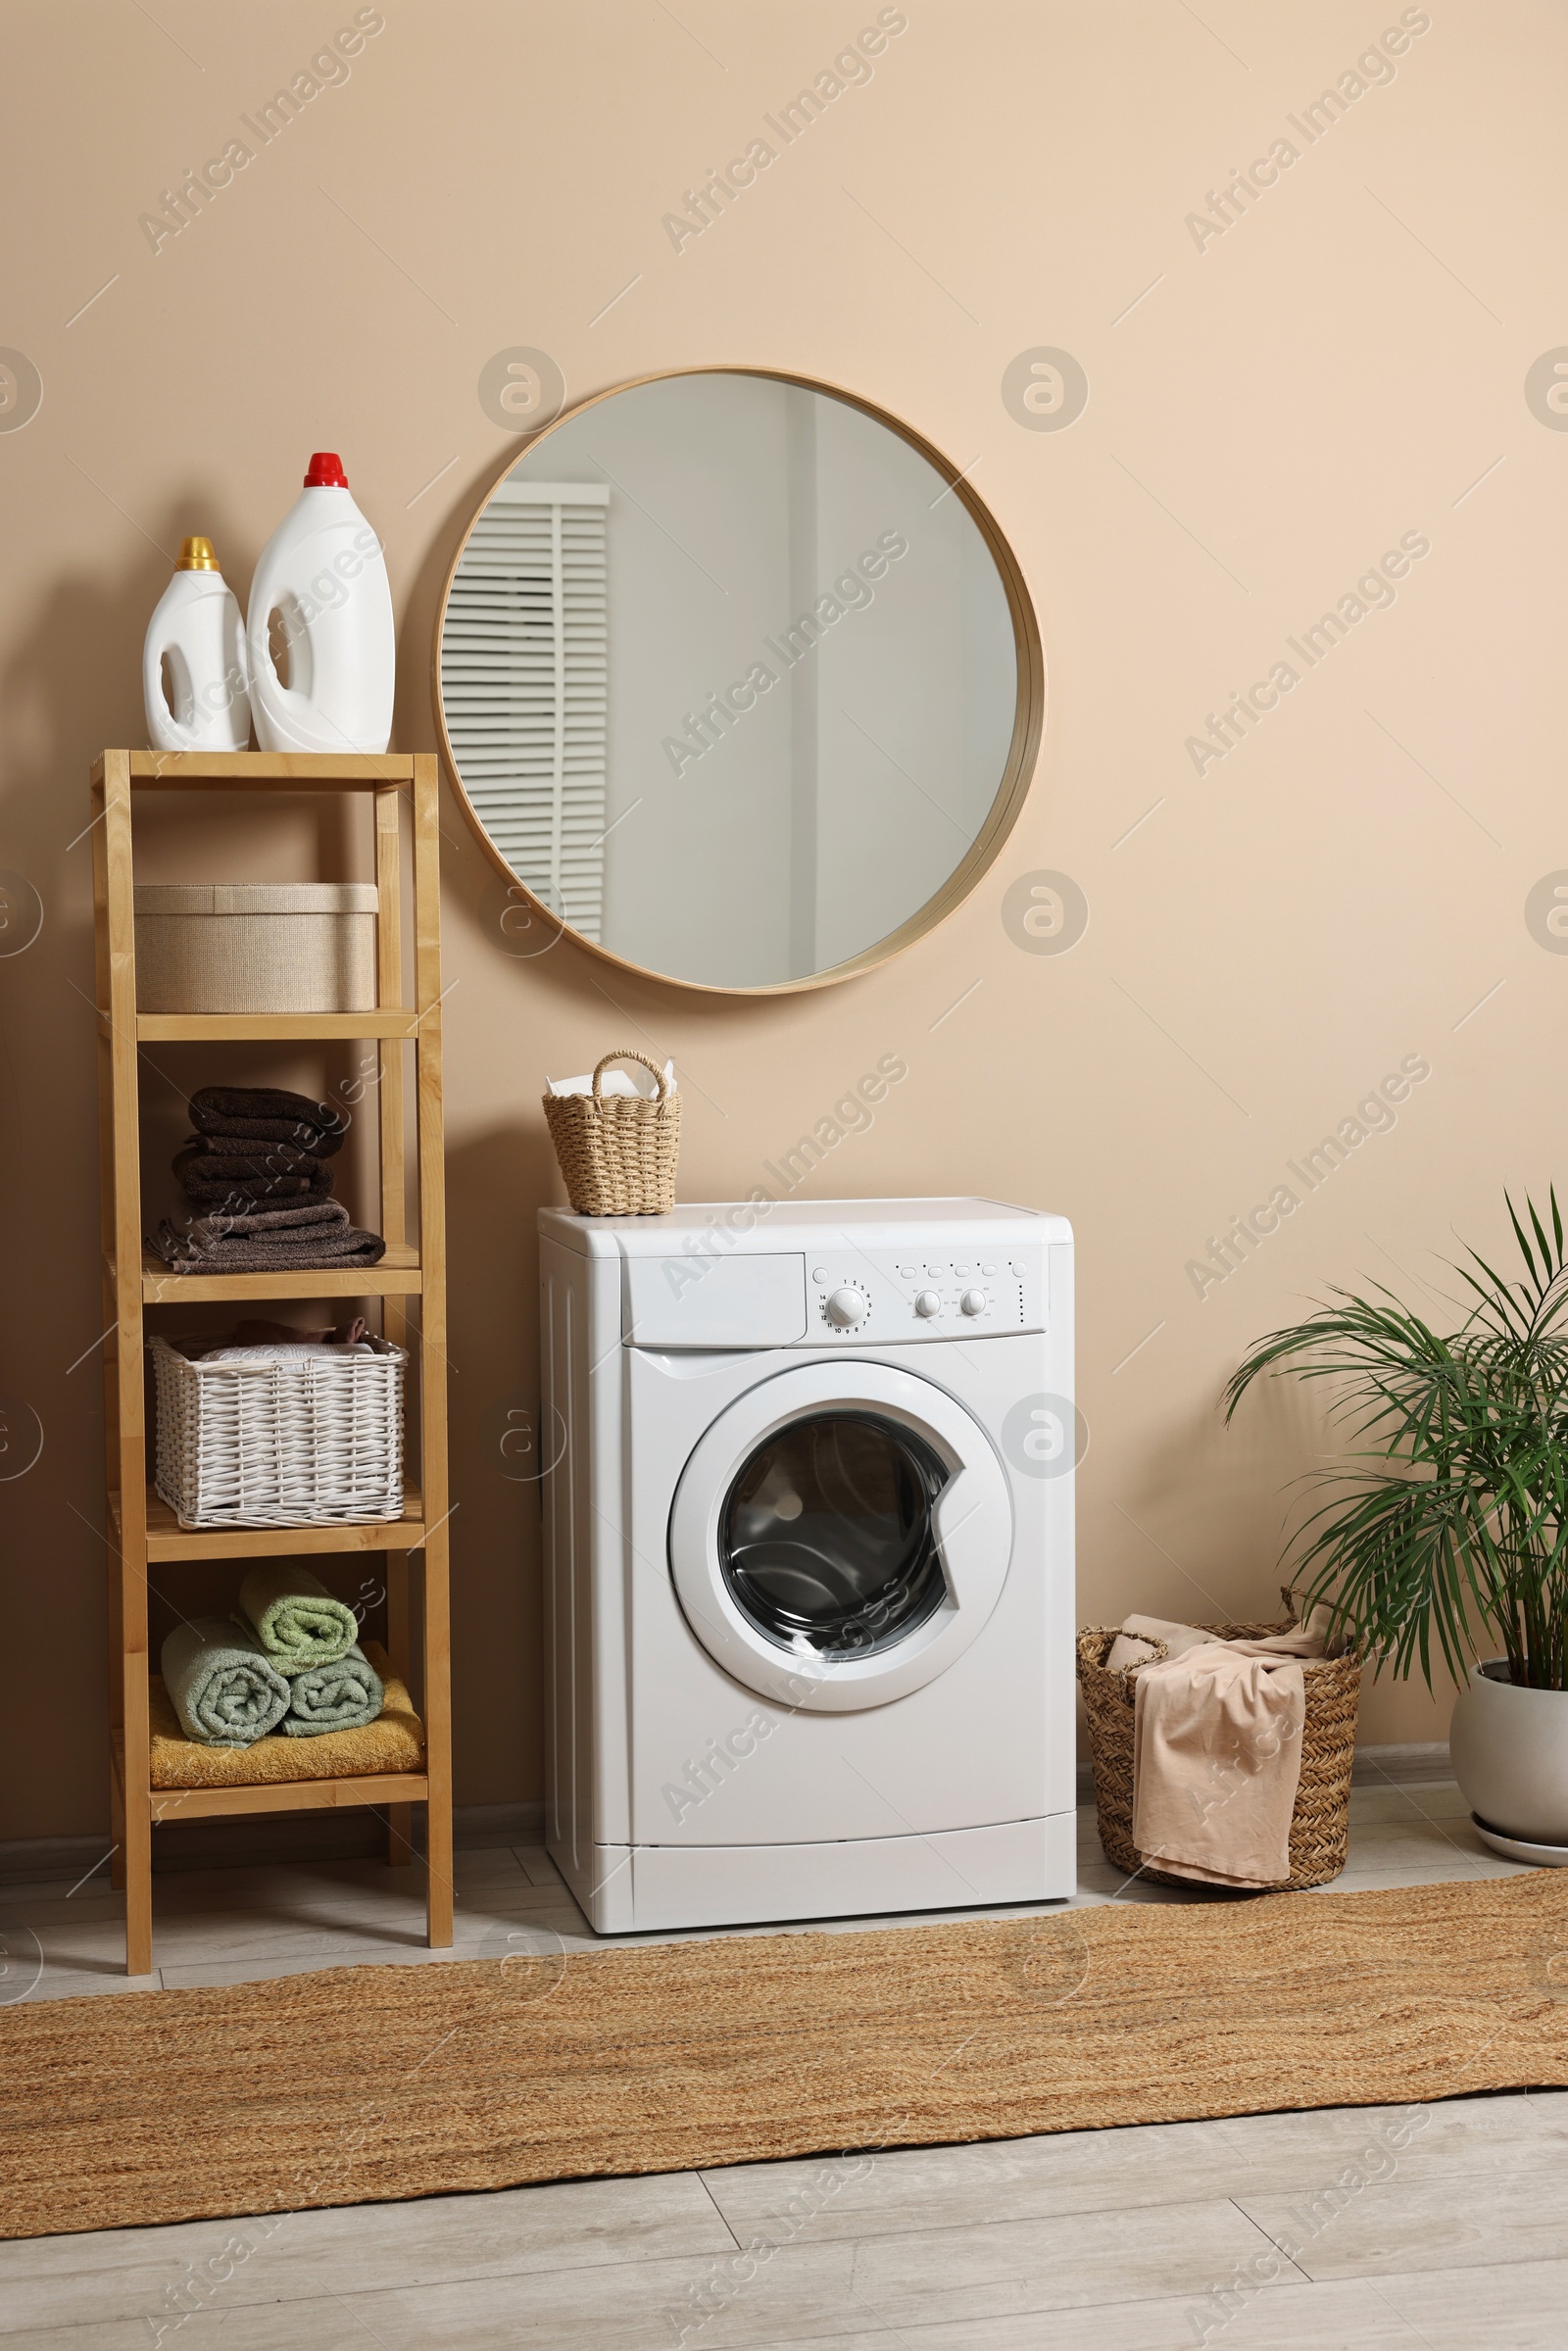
x=739 y=681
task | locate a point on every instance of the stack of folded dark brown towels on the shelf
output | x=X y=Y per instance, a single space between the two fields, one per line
x=260 y=1181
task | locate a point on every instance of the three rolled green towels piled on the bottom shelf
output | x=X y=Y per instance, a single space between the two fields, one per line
x=288 y=1661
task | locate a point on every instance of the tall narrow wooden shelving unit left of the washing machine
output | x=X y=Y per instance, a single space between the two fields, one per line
x=142 y=1529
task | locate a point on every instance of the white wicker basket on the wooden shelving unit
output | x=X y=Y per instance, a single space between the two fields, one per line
x=281 y=1435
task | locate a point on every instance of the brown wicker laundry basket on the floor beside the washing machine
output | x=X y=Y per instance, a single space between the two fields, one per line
x=1320 y=1823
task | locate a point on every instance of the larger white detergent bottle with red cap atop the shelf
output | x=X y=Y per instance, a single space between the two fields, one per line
x=321 y=627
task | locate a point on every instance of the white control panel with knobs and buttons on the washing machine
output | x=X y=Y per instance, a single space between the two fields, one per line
x=923 y=1297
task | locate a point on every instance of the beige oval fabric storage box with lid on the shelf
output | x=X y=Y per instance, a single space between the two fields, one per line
x=255 y=946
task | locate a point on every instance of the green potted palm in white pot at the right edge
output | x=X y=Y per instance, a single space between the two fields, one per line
x=1454 y=1518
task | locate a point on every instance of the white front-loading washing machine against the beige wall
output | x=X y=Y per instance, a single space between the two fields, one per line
x=808 y=1560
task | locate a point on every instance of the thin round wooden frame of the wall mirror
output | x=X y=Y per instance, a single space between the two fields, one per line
x=1028 y=711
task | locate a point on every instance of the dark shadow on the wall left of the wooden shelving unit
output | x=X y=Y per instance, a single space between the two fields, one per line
x=72 y=685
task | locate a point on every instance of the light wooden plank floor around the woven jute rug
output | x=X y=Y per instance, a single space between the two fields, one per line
x=1440 y=2228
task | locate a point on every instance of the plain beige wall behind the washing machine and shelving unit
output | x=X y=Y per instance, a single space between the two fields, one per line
x=1278 y=410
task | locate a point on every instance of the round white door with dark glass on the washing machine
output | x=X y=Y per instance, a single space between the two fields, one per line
x=840 y=1536
